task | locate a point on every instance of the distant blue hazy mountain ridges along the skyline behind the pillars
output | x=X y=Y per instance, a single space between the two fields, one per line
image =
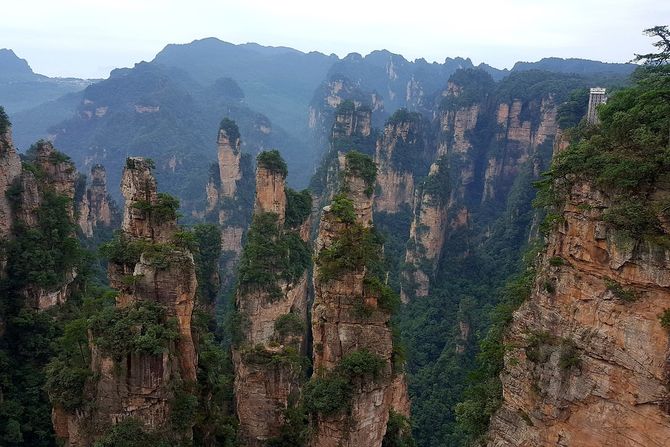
x=269 y=90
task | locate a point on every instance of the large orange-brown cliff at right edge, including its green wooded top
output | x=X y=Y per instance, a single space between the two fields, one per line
x=587 y=354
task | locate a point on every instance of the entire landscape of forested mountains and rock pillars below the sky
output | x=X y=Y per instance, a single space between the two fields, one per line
x=374 y=307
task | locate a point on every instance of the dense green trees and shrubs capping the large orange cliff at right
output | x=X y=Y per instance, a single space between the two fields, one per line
x=627 y=155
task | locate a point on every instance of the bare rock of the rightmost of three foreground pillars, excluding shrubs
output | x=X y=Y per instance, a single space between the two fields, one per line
x=339 y=329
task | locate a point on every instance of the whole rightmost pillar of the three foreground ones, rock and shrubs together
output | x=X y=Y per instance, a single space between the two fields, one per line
x=351 y=319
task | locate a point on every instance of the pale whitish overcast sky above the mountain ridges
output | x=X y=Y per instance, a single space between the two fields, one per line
x=87 y=38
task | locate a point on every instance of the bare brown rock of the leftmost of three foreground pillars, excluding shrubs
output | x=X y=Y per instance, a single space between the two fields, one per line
x=141 y=384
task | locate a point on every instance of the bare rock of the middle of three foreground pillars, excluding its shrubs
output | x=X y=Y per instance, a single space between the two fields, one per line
x=268 y=369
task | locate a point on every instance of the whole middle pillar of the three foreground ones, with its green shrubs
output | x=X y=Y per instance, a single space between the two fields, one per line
x=269 y=359
